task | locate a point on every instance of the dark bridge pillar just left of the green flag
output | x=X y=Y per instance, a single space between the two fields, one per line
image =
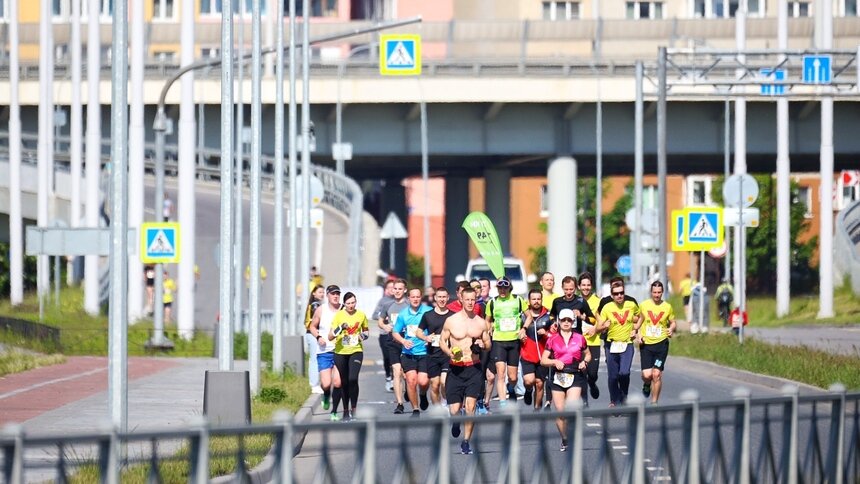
x=456 y=239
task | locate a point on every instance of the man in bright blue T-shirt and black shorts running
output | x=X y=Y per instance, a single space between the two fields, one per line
x=413 y=358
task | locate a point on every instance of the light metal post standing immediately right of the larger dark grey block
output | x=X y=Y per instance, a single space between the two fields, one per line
x=254 y=225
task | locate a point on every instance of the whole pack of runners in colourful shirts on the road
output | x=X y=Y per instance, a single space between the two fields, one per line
x=459 y=351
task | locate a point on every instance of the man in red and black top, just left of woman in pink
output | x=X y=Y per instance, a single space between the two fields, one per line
x=534 y=374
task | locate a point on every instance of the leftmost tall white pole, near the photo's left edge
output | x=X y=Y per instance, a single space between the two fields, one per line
x=16 y=230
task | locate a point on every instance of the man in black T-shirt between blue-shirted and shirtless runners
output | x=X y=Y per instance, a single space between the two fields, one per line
x=431 y=328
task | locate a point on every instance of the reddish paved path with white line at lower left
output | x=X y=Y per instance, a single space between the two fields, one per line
x=32 y=393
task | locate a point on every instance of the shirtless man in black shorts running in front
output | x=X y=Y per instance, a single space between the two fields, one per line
x=464 y=336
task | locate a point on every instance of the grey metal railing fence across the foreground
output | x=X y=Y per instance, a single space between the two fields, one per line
x=785 y=439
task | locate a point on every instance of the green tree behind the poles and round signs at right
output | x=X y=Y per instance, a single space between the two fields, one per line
x=761 y=241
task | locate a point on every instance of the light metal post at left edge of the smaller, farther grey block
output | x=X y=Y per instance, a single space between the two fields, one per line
x=278 y=347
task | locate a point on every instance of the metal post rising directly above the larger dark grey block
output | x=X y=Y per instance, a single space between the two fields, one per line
x=225 y=328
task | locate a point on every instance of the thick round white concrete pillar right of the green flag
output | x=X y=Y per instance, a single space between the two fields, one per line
x=561 y=245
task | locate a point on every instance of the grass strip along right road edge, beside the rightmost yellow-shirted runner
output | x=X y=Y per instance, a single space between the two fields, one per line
x=797 y=363
